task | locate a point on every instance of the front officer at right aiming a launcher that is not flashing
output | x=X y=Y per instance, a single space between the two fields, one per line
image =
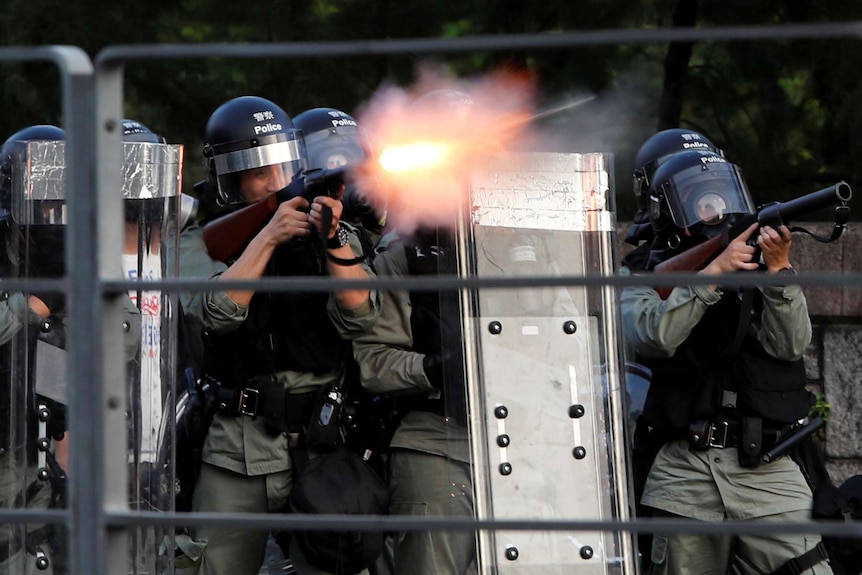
x=727 y=375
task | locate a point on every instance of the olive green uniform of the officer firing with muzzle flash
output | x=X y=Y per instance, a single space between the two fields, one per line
x=246 y=467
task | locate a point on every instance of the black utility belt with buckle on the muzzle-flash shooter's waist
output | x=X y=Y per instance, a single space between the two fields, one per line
x=282 y=411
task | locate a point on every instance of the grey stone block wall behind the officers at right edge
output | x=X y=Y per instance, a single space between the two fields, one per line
x=833 y=362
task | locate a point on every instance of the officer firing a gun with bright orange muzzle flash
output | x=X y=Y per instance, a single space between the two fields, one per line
x=269 y=353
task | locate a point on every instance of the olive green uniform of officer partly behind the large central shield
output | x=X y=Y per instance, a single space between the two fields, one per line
x=430 y=471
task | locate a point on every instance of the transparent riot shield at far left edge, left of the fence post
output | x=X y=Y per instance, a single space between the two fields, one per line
x=33 y=391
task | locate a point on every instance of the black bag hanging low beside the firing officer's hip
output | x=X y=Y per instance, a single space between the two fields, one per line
x=339 y=483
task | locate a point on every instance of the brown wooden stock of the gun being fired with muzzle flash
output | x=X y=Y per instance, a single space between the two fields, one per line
x=226 y=237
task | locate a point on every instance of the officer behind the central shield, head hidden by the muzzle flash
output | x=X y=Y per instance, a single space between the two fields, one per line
x=414 y=354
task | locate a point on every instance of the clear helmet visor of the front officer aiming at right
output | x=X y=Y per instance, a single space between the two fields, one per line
x=707 y=194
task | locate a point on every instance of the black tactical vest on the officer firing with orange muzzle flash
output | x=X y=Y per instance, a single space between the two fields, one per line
x=283 y=331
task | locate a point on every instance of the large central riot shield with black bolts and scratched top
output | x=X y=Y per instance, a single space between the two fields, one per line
x=547 y=408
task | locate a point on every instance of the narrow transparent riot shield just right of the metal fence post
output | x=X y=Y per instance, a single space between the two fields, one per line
x=151 y=204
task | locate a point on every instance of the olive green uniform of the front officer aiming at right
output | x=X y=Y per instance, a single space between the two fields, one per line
x=711 y=485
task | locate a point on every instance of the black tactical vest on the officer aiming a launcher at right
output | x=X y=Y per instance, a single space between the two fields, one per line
x=720 y=371
